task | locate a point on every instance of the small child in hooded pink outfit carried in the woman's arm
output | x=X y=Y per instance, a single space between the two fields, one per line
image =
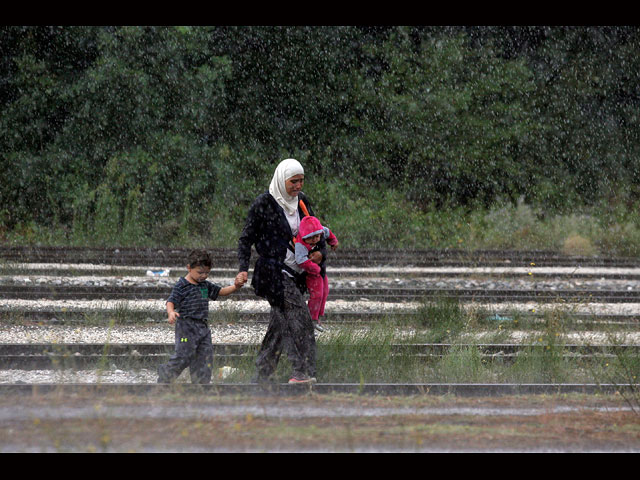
x=310 y=233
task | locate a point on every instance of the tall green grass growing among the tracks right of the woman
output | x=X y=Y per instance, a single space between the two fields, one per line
x=365 y=353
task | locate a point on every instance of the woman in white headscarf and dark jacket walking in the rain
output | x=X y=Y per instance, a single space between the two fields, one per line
x=272 y=223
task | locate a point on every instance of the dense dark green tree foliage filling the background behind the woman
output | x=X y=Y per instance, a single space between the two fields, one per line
x=167 y=131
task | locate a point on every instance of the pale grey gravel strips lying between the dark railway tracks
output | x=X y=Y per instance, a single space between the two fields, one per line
x=514 y=278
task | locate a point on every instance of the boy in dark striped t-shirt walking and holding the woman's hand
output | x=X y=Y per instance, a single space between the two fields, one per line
x=188 y=308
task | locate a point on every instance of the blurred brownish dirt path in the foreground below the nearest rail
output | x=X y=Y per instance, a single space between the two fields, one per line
x=567 y=423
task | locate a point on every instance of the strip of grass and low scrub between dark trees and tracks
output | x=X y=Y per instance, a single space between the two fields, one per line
x=383 y=221
